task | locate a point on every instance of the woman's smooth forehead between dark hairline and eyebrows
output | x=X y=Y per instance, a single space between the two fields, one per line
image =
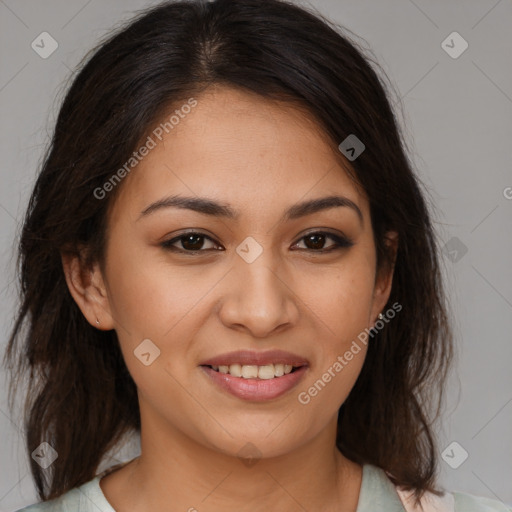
x=241 y=148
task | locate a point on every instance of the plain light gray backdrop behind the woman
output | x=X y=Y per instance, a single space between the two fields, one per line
x=458 y=117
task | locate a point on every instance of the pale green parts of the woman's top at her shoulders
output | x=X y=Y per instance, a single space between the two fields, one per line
x=377 y=494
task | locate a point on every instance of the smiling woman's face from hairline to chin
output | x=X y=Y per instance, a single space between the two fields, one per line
x=200 y=285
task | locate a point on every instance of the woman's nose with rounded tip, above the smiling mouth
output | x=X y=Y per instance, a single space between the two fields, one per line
x=258 y=298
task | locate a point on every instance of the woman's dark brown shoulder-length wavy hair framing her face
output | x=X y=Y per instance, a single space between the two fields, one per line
x=81 y=398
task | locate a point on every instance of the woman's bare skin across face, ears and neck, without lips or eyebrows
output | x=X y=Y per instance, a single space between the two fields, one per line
x=260 y=157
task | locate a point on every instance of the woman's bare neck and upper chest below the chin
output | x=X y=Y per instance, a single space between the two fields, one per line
x=175 y=472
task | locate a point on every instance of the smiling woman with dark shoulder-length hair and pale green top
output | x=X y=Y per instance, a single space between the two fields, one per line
x=227 y=251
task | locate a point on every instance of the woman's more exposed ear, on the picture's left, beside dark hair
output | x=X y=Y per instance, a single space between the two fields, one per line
x=86 y=285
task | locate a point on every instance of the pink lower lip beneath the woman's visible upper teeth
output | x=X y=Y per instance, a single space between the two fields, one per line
x=256 y=389
